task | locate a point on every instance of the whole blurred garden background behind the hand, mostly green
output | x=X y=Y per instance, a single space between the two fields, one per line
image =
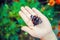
x=11 y=22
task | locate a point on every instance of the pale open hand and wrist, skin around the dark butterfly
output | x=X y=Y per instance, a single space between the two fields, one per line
x=43 y=30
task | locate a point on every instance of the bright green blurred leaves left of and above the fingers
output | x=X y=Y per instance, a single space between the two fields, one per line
x=11 y=22
